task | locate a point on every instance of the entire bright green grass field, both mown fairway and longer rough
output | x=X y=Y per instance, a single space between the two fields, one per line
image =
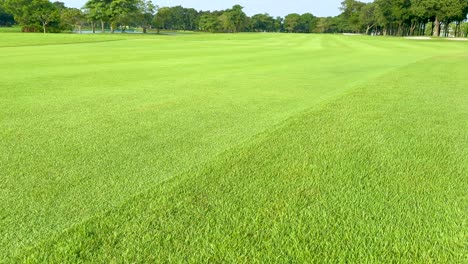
x=232 y=148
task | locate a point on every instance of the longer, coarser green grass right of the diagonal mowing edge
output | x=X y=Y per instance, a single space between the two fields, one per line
x=378 y=175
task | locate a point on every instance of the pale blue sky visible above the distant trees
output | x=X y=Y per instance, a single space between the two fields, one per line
x=273 y=7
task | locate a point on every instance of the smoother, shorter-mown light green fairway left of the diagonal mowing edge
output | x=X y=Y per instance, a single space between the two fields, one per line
x=79 y=138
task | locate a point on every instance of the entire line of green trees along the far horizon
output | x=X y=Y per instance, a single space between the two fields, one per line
x=381 y=17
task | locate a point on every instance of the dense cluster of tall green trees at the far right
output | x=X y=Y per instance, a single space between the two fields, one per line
x=404 y=17
